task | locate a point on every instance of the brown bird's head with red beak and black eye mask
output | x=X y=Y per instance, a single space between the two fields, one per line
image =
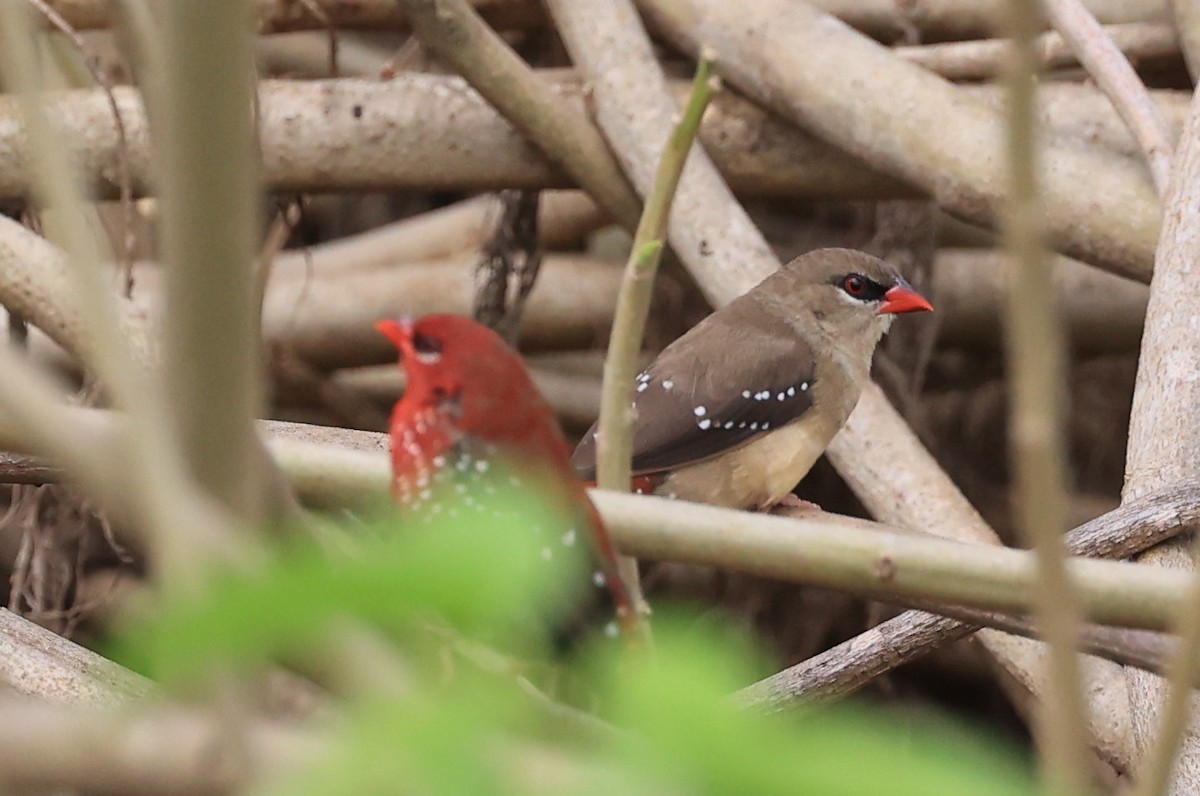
x=850 y=294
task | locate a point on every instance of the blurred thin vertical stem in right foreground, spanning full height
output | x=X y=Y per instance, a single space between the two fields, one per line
x=1036 y=366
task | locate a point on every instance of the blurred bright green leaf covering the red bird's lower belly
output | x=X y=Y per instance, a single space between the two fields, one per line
x=487 y=574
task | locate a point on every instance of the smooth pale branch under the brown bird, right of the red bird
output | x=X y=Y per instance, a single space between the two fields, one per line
x=872 y=559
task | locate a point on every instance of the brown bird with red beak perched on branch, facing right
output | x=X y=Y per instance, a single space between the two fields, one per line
x=737 y=411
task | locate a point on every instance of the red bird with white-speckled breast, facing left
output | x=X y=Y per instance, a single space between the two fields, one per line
x=470 y=402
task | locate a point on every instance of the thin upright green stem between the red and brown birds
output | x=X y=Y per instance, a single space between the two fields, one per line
x=616 y=428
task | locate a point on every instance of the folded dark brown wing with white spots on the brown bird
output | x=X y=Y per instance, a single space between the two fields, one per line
x=734 y=378
